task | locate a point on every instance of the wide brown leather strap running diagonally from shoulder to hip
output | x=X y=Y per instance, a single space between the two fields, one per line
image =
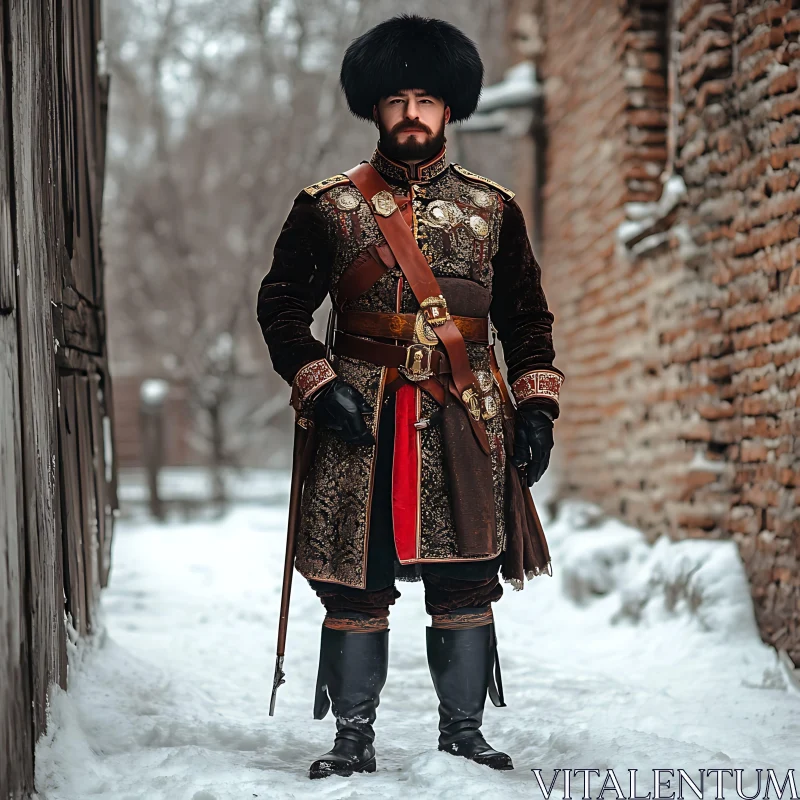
x=422 y=281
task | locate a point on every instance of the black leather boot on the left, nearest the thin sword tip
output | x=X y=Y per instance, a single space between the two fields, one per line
x=352 y=672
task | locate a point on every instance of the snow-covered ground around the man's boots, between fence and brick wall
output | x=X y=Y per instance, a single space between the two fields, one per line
x=630 y=657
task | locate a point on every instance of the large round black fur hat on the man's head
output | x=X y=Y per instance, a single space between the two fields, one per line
x=412 y=52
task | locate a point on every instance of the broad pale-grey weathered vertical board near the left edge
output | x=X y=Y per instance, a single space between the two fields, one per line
x=30 y=34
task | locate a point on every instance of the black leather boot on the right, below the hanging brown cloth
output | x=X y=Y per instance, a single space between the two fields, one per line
x=461 y=661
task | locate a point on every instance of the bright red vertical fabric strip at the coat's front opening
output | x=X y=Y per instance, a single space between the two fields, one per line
x=405 y=469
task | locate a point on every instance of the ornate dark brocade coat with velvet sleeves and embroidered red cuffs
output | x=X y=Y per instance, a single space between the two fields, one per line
x=470 y=230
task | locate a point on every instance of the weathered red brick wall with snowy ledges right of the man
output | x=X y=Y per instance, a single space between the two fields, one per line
x=678 y=304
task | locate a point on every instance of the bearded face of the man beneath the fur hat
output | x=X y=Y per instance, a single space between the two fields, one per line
x=411 y=124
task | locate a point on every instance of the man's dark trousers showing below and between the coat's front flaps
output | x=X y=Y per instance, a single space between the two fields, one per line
x=450 y=587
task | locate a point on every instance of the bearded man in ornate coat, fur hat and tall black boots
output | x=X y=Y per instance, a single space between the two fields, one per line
x=421 y=459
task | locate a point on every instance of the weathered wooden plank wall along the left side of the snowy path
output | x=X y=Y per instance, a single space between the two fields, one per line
x=57 y=466
